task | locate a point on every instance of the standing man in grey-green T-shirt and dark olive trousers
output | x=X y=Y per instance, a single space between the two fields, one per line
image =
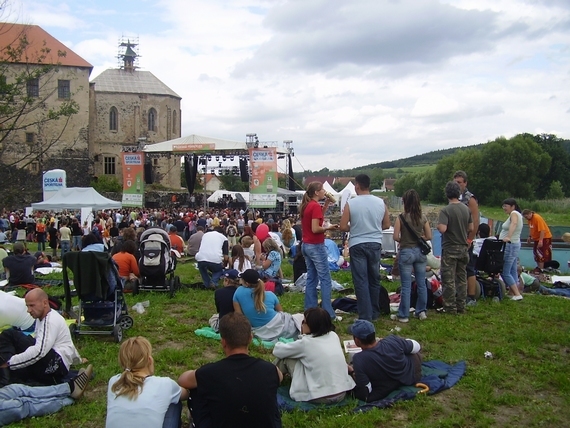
x=454 y=224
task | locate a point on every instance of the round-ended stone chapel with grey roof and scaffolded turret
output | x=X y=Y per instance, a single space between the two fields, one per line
x=128 y=109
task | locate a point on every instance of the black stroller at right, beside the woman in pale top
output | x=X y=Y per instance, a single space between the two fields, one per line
x=488 y=268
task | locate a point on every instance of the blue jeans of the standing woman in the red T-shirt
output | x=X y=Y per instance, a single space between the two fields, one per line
x=316 y=259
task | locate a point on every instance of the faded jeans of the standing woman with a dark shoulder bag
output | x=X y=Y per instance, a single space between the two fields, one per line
x=408 y=259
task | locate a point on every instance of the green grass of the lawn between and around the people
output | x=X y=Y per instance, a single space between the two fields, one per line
x=526 y=384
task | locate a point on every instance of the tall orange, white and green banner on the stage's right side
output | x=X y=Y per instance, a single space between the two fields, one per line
x=263 y=182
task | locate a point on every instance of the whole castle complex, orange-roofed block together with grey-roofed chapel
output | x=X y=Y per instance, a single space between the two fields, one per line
x=120 y=110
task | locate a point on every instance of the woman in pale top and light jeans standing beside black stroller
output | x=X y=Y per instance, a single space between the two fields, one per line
x=511 y=234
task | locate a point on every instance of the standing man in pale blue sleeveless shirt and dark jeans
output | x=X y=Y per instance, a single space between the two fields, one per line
x=365 y=217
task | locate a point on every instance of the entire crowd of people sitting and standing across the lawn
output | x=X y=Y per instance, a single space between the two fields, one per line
x=244 y=250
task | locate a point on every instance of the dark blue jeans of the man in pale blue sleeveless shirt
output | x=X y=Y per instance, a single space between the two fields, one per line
x=365 y=269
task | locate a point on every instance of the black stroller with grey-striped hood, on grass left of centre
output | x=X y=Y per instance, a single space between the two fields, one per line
x=157 y=263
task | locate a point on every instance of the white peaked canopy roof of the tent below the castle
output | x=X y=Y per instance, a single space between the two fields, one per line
x=73 y=198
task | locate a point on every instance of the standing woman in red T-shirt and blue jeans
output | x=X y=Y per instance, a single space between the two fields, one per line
x=313 y=248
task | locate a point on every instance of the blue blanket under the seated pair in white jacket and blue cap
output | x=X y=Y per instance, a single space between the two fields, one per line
x=438 y=375
